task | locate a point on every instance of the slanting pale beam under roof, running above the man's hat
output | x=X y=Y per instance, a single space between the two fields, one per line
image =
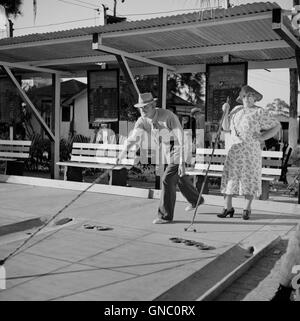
x=98 y=46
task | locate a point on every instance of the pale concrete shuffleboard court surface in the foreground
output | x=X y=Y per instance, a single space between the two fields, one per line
x=133 y=261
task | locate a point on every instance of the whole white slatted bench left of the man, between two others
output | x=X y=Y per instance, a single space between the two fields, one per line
x=102 y=156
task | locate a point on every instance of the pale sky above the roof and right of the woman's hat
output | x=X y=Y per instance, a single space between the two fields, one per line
x=54 y=15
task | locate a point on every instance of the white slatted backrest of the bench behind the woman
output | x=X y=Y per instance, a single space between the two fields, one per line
x=271 y=161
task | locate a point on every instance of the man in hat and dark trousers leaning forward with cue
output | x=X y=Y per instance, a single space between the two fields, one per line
x=163 y=125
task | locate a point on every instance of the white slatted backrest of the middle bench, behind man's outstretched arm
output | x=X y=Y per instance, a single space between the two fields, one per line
x=101 y=154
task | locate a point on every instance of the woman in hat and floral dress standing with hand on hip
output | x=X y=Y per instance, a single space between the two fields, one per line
x=249 y=125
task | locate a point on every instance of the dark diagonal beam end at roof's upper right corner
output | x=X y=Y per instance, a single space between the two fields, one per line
x=280 y=28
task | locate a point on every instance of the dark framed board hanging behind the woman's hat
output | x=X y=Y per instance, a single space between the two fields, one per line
x=223 y=80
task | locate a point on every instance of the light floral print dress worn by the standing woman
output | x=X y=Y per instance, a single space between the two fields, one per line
x=242 y=168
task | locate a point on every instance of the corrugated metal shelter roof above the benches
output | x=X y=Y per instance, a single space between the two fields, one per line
x=245 y=32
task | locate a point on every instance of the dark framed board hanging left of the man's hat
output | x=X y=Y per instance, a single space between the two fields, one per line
x=103 y=96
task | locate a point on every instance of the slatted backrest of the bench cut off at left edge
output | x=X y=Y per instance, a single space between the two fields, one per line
x=14 y=149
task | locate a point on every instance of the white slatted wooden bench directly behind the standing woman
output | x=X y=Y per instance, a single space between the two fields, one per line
x=271 y=166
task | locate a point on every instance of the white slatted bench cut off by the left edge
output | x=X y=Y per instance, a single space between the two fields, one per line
x=14 y=151
